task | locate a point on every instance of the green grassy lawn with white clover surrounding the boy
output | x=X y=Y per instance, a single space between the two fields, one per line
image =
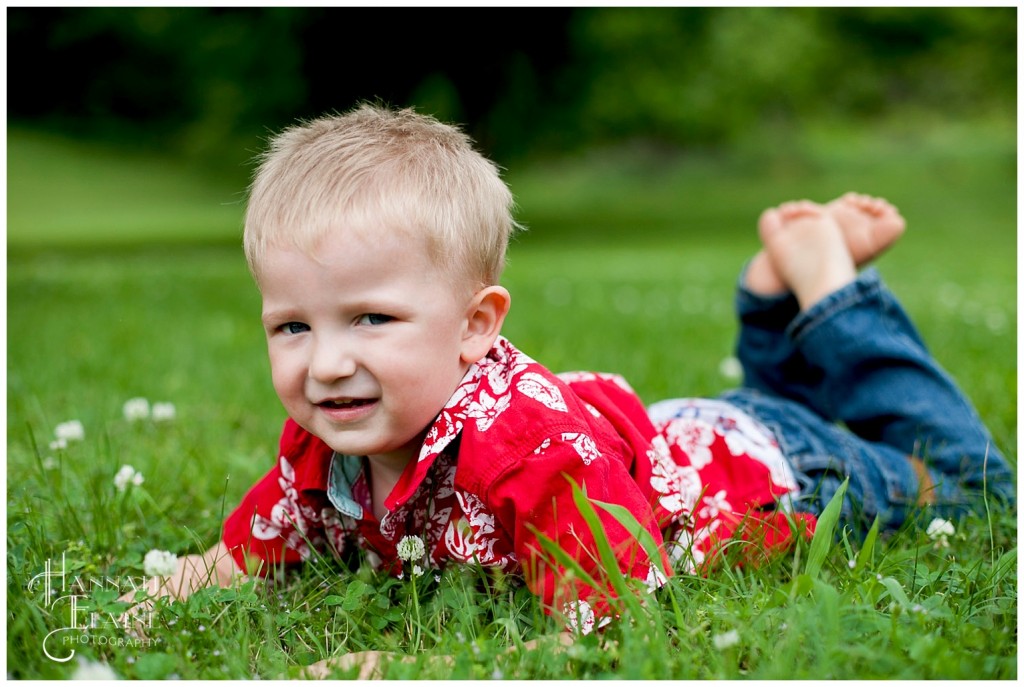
x=130 y=271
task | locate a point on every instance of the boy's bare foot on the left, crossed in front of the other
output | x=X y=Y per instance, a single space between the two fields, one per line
x=807 y=250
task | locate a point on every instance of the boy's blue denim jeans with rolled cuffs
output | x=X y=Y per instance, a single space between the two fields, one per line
x=856 y=359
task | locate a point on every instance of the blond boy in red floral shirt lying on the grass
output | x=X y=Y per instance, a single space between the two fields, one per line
x=420 y=436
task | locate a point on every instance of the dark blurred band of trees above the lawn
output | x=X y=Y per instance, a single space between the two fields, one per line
x=209 y=83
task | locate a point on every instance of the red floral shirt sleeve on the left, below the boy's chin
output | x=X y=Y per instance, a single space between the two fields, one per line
x=274 y=525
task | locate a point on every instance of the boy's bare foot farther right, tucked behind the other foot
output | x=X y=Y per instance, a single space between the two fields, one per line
x=870 y=226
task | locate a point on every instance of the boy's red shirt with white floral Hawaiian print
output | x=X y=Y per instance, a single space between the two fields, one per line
x=494 y=480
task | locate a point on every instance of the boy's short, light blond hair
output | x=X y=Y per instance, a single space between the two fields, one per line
x=373 y=169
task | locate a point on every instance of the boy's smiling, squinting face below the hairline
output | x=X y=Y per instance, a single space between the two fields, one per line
x=366 y=341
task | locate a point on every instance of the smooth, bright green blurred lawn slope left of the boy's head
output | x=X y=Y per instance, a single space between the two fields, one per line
x=69 y=193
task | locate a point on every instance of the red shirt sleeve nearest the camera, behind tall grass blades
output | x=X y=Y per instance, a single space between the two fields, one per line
x=534 y=501
